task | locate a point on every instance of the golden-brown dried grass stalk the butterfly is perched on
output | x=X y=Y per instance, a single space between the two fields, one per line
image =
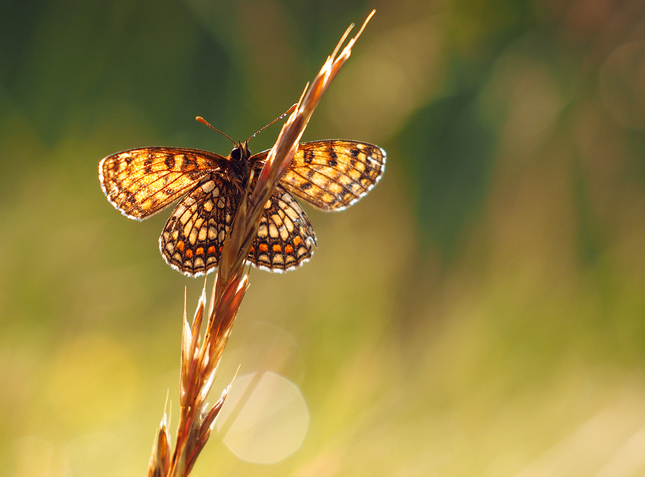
x=199 y=358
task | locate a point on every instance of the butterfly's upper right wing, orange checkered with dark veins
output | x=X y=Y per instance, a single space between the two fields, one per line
x=332 y=175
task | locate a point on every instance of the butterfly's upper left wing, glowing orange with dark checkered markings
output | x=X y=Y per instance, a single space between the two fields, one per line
x=141 y=182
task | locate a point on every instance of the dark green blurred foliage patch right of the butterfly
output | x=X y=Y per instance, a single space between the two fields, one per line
x=451 y=183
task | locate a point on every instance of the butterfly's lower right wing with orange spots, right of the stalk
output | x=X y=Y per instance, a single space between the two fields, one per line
x=285 y=238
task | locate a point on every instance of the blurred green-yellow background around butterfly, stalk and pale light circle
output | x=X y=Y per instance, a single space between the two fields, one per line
x=481 y=312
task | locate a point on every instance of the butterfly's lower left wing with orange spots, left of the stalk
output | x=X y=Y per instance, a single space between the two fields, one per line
x=192 y=239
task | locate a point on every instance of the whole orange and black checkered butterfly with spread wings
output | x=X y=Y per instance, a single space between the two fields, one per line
x=331 y=175
